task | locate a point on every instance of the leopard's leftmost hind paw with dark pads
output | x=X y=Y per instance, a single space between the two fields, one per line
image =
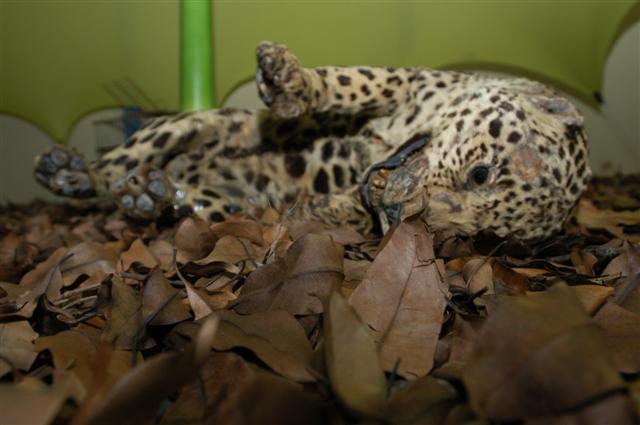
x=65 y=172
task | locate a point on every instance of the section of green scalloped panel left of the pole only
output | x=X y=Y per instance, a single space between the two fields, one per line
x=55 y=56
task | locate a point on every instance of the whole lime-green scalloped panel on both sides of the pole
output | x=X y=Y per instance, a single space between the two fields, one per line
x=56 y=55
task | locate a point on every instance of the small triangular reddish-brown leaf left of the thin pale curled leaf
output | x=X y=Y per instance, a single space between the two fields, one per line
x=161 y=301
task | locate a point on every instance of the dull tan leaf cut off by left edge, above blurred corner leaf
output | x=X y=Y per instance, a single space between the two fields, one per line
x=16 y=346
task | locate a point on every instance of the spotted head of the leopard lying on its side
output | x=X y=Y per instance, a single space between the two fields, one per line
x=511 y=159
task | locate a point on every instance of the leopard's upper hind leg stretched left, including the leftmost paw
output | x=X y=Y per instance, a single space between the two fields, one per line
x=66 y=172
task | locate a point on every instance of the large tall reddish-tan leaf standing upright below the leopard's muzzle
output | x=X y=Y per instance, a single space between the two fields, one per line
x=402 y=299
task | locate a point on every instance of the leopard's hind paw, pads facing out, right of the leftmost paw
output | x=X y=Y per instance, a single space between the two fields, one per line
x=144 y=193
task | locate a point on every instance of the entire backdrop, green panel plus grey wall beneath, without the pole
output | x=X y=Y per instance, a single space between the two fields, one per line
x=60 y=60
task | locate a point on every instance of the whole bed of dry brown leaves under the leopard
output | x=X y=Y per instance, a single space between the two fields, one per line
x=259 y=321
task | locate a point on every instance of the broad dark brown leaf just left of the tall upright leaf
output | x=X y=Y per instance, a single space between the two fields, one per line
x=298 y=282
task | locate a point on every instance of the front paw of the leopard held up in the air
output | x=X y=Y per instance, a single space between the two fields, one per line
x=280 y=80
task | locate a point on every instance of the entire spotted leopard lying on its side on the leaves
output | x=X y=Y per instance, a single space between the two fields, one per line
x=348 y=145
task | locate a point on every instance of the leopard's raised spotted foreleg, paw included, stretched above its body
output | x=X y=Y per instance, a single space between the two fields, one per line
x=291 y=90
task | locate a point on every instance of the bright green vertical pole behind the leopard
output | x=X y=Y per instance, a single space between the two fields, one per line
x=196 y=74
